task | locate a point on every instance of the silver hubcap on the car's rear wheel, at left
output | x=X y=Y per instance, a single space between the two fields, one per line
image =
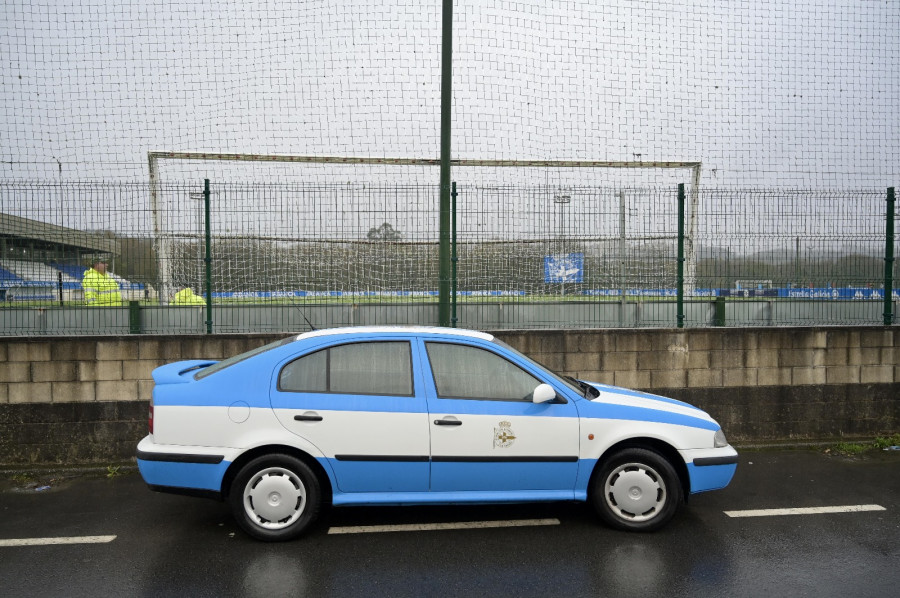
x=274 y=498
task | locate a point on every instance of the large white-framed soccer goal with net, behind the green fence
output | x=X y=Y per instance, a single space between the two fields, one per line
x=310 y=227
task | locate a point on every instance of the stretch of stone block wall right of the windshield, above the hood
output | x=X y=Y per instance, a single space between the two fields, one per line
x=761 y=384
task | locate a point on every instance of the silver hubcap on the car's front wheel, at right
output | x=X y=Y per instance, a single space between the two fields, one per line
x=635 y=492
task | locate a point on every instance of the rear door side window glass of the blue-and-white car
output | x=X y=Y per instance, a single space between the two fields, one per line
x=375 y=368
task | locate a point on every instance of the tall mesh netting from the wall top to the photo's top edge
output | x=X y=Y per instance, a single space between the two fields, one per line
x=775 y=114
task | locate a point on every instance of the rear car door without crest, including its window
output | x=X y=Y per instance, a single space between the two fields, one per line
x=361 y=405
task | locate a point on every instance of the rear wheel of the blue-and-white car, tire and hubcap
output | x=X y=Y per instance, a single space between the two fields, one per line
x=275 y=498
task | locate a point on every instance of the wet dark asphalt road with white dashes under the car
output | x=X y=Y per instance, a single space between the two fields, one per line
x=149 y=544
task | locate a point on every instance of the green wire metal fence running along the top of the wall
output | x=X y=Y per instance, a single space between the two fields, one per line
x=284 y=257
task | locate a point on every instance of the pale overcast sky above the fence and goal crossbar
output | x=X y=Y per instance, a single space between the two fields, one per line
x=762 y=92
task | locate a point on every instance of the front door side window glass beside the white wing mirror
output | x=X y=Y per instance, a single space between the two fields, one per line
x=464 y=372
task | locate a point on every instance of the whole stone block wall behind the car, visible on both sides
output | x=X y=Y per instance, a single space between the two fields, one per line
x=85 y=399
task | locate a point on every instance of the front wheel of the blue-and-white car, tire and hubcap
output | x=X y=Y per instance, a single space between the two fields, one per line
x=636 y=490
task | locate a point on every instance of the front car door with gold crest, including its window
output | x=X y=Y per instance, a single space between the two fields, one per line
x=486 y=433
